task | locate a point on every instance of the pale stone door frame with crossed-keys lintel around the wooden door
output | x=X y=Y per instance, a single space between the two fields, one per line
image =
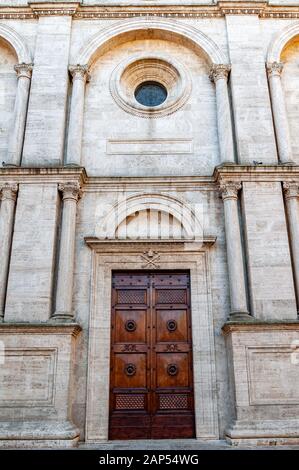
x=111 y=256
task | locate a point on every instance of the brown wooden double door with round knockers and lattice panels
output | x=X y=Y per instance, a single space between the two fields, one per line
x=151 y=378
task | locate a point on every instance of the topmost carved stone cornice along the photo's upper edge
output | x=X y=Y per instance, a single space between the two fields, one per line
x=108 y=12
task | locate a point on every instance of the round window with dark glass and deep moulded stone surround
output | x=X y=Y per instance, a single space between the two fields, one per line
x=150 y=87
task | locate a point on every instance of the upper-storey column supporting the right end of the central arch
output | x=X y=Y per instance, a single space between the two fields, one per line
x=219 y=75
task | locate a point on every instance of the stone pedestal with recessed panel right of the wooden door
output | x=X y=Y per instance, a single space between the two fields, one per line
x=264 y=370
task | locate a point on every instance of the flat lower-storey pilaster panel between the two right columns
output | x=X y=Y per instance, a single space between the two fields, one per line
x=268 y=254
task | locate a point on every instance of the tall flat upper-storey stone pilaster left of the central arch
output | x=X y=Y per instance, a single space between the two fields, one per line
x=45 y=130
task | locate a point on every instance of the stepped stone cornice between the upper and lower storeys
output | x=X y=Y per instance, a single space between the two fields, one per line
x=223 y=174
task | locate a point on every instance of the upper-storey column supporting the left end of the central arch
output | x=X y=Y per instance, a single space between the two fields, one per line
x=80 y=77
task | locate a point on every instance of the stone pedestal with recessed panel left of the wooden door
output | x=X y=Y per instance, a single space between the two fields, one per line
x=36 y=364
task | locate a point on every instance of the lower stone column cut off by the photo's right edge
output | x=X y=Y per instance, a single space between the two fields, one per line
x=291 y=191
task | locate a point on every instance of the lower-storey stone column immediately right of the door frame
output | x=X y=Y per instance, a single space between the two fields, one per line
x=234 y=251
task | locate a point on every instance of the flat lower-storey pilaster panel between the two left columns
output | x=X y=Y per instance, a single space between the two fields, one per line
x=30 y=283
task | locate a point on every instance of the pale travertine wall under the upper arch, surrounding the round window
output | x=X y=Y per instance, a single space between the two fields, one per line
x=116 y=142
